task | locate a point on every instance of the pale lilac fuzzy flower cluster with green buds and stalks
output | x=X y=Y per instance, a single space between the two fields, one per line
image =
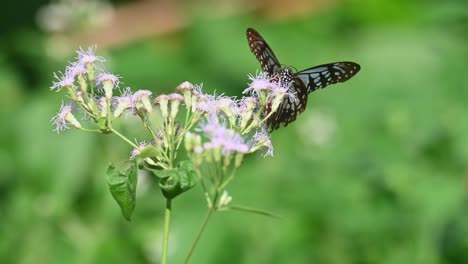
x=217 y=130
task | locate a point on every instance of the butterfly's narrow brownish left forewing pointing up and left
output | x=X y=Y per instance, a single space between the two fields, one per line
x=263 y=52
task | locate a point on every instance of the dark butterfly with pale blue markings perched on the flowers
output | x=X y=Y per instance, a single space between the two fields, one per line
x=303 y=82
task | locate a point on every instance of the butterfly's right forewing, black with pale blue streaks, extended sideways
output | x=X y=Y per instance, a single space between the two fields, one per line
x=323 y=75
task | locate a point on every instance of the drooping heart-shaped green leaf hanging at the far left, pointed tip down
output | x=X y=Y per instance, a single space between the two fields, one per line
x=122 y=185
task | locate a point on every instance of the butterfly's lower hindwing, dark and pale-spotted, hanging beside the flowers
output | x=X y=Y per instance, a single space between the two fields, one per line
x=290 y=108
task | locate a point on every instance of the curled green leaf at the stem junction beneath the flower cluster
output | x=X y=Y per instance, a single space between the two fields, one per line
x=178 y=180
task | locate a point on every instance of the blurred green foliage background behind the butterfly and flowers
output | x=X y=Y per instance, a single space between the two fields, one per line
x=375 y=171
